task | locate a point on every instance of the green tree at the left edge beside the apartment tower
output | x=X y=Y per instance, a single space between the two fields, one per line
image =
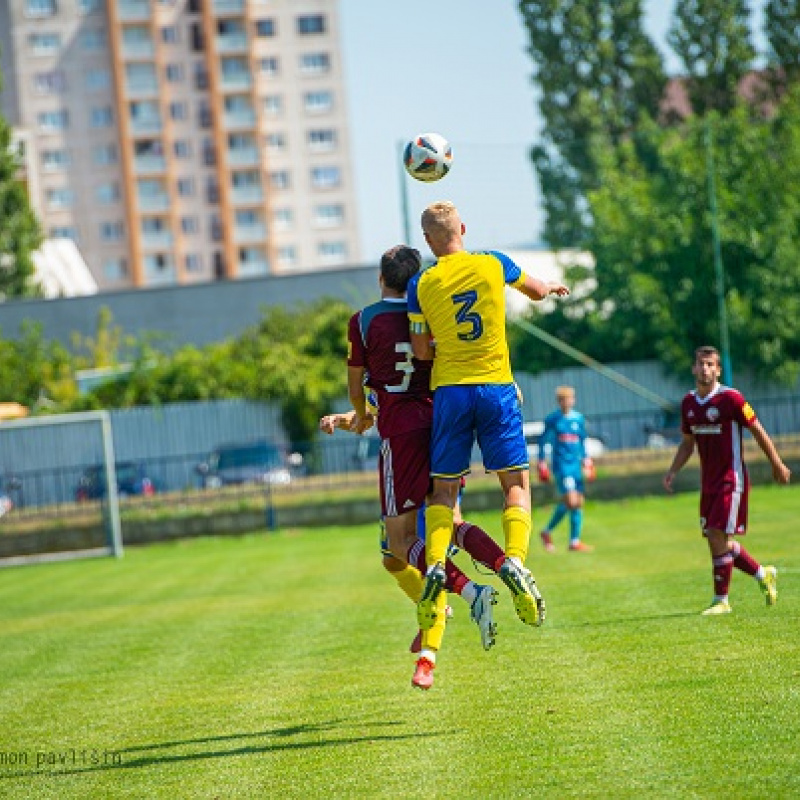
x=20 y=233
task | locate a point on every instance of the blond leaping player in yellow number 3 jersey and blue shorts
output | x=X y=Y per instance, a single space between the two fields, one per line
x=456 y=310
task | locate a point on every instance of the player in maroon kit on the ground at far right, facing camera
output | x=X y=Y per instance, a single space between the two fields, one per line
x=712 y=419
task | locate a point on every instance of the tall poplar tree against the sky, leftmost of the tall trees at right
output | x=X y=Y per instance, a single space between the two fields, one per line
x=596 y=69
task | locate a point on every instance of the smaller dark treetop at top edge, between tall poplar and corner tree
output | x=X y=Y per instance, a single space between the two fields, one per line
x=712 y=40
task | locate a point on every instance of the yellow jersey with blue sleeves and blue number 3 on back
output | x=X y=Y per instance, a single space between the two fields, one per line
x=461 y=301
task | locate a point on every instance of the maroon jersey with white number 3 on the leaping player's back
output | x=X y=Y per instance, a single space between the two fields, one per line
x=378 y=340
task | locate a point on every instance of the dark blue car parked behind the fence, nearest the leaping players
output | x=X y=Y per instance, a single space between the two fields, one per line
x=259 y=461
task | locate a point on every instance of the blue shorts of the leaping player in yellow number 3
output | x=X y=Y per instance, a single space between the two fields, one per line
x=489 y=412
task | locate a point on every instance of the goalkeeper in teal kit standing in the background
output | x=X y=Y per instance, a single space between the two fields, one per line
x=565 y=433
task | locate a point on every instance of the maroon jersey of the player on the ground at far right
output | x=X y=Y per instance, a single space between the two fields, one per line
x=717 y=421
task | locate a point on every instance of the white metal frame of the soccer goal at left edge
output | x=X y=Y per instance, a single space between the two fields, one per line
x=109 y=504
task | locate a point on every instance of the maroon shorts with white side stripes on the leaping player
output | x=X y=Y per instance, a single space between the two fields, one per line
x=404 y=466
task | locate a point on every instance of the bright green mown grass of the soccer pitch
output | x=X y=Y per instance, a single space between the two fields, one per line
x=277 y=666
